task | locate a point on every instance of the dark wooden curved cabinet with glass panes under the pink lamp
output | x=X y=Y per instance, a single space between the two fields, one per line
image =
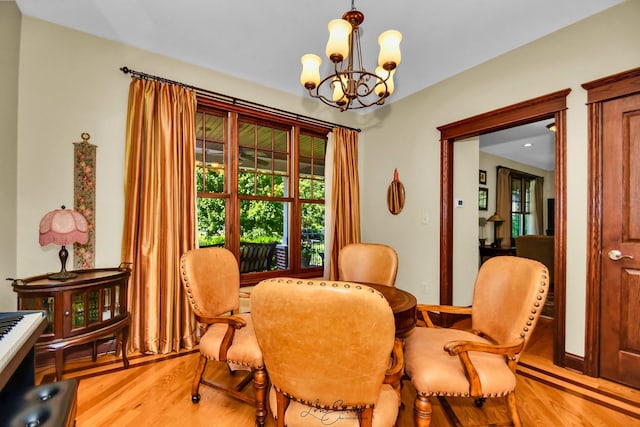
x=80 y=310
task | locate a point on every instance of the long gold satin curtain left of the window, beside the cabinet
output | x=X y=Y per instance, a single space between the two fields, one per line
x=159 y=217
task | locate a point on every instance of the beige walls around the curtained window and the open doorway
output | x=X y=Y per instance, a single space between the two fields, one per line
x=70 y=83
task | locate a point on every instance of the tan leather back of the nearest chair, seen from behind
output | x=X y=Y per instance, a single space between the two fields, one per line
x=323 y=342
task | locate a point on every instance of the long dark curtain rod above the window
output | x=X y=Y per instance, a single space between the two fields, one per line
x=236 y=101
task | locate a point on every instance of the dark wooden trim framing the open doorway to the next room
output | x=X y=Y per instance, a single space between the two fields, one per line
x=552 y=105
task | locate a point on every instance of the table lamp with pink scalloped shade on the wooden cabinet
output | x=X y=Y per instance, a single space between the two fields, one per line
x=63 y=227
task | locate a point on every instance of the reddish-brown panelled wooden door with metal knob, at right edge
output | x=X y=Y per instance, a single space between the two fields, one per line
x=620 y=255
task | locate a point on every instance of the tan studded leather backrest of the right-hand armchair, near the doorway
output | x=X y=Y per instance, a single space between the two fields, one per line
x=508 y=297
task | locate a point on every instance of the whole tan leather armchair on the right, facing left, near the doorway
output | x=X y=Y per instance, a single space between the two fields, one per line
x=508 y=298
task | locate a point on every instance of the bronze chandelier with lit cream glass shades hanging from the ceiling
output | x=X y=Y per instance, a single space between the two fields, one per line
x=351 y=86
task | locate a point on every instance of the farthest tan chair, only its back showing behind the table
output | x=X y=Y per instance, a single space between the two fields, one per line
x=368 y=263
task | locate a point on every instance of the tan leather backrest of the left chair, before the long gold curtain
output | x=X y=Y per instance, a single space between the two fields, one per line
x=211 y=279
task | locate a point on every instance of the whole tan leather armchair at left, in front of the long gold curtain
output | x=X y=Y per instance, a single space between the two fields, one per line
x=211 y=281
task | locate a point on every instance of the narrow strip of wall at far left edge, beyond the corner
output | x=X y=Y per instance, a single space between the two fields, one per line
x=9 y=52
